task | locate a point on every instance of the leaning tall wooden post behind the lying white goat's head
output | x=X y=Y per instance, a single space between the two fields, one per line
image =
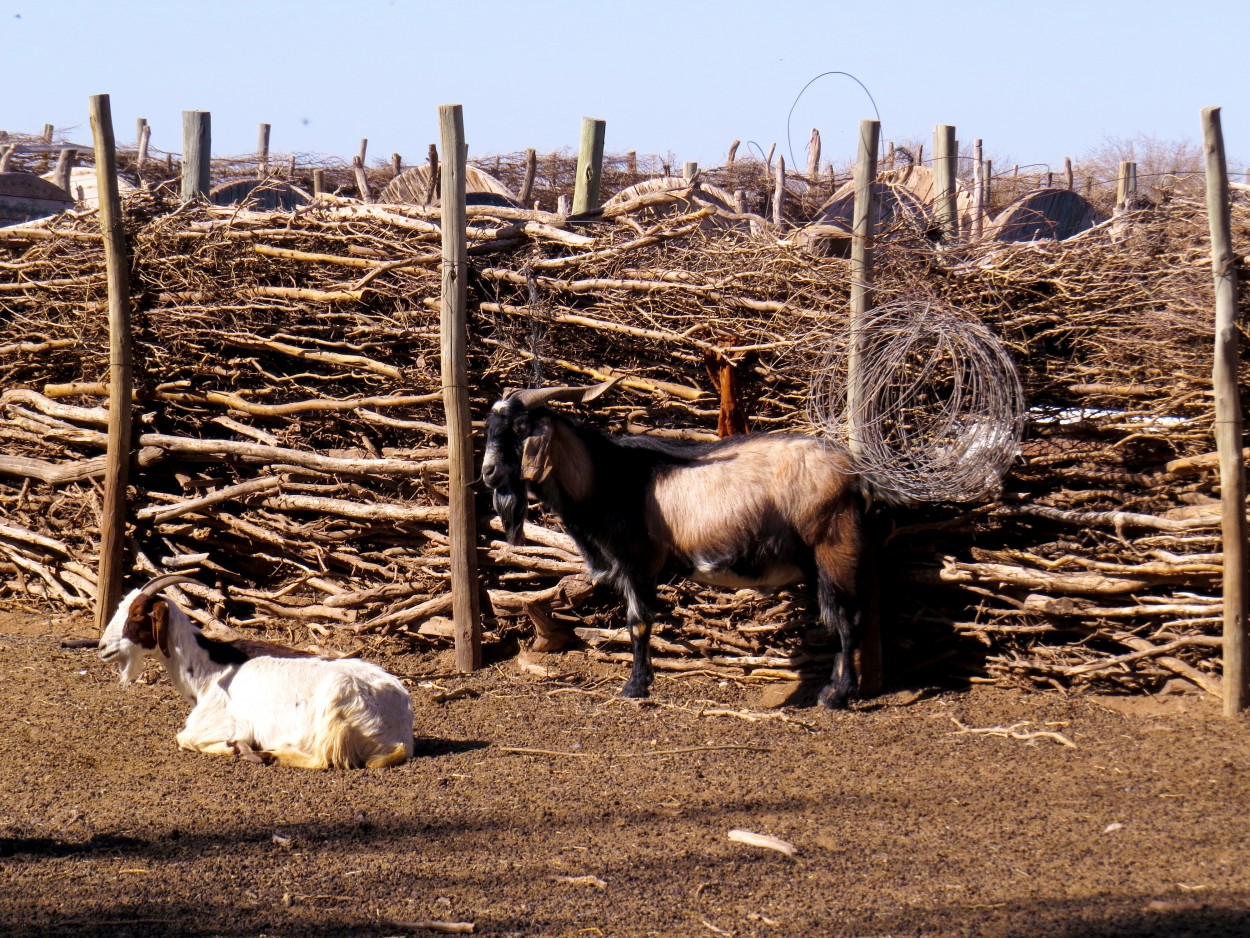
x=113 y=521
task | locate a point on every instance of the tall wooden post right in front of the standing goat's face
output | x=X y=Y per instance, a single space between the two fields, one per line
x=454 y=325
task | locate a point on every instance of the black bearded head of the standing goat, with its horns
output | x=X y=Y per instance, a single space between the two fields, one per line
x=519 y=448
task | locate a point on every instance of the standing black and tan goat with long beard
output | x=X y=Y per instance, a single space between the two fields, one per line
x=758 y=511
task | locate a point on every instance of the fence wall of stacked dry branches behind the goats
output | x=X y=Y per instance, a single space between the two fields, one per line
x=292 y=446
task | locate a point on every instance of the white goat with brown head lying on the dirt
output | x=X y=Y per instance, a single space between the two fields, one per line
x=254 y=697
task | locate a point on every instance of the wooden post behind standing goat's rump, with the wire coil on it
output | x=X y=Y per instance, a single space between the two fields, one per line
x=863 y=233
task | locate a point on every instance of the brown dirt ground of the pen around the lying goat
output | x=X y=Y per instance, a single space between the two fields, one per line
x=617 y=822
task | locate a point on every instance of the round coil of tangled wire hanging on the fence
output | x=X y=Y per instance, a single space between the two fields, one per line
x=941 y=411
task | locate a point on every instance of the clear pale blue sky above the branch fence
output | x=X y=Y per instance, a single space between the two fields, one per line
x=1036 y=81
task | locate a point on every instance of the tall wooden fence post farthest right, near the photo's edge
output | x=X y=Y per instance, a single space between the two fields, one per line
x=1228 y=420
